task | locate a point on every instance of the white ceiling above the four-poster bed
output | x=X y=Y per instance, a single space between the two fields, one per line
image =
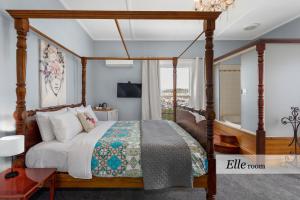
x=270 y=14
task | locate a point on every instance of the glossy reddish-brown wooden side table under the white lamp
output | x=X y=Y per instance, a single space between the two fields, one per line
x=27 y=183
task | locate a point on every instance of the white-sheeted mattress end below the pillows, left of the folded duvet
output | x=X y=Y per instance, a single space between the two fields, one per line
x=51 y=154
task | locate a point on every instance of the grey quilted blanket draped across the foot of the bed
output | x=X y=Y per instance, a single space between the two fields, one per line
x=165 y=157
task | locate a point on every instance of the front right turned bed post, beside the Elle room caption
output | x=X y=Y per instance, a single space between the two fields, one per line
x=209 y=27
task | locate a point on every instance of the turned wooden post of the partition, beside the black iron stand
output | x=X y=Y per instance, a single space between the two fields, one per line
x=260 y=133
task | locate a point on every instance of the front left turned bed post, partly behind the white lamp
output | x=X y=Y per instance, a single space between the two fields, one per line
x=22 y=27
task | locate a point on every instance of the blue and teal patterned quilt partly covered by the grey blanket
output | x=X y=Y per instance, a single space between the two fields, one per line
x=118 y=152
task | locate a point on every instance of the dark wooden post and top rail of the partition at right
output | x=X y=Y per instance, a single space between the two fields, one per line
x=260 y=47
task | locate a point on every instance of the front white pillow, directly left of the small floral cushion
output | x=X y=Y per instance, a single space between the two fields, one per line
x=65 y=126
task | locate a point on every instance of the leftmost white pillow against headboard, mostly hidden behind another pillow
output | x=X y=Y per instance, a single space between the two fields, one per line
x=44 y=124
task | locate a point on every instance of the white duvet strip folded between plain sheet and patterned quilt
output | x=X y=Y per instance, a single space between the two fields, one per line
x=81 y=150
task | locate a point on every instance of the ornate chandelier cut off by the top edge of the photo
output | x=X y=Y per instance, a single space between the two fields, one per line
x=212 y=5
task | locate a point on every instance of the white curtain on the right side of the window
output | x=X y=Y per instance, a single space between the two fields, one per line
x=197 y=99
